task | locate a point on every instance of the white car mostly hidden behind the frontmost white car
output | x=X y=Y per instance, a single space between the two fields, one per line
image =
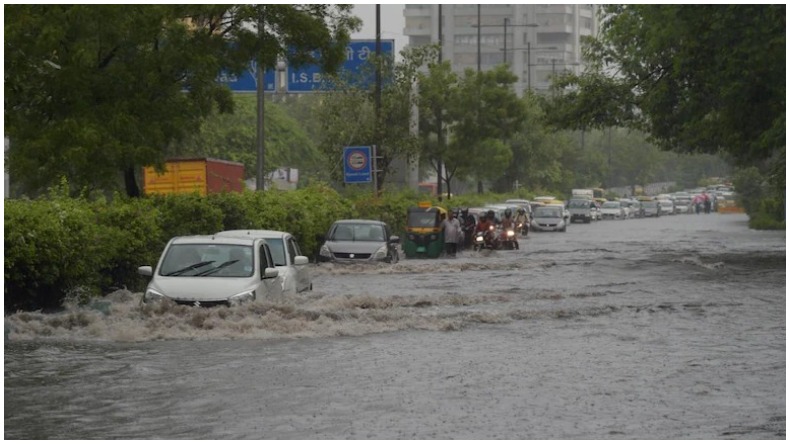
x=288 y=258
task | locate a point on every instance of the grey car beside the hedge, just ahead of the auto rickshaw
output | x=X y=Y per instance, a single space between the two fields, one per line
x=359 y=240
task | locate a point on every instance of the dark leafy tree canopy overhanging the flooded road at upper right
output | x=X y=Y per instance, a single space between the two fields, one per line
x=695 y=78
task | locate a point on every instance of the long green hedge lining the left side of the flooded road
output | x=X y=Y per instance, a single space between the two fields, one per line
x=59 y=248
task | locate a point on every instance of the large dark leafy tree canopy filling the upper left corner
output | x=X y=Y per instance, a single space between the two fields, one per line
x=91 y=91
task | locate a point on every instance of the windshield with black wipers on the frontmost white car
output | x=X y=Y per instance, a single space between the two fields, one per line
x=216 y=260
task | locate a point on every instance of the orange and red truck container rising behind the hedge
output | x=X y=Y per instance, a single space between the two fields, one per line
x=201 y=175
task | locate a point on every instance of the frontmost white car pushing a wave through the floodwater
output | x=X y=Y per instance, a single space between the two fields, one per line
x=211 y=270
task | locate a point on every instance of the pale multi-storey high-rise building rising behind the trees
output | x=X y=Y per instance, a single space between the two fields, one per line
x=534 y=40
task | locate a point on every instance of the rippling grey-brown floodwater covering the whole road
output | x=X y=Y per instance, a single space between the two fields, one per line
x=668 y=328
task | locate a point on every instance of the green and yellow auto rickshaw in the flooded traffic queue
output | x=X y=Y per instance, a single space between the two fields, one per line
x=424 y=234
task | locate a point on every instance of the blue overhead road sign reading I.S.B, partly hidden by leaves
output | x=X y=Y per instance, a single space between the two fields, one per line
x=309 y=78
